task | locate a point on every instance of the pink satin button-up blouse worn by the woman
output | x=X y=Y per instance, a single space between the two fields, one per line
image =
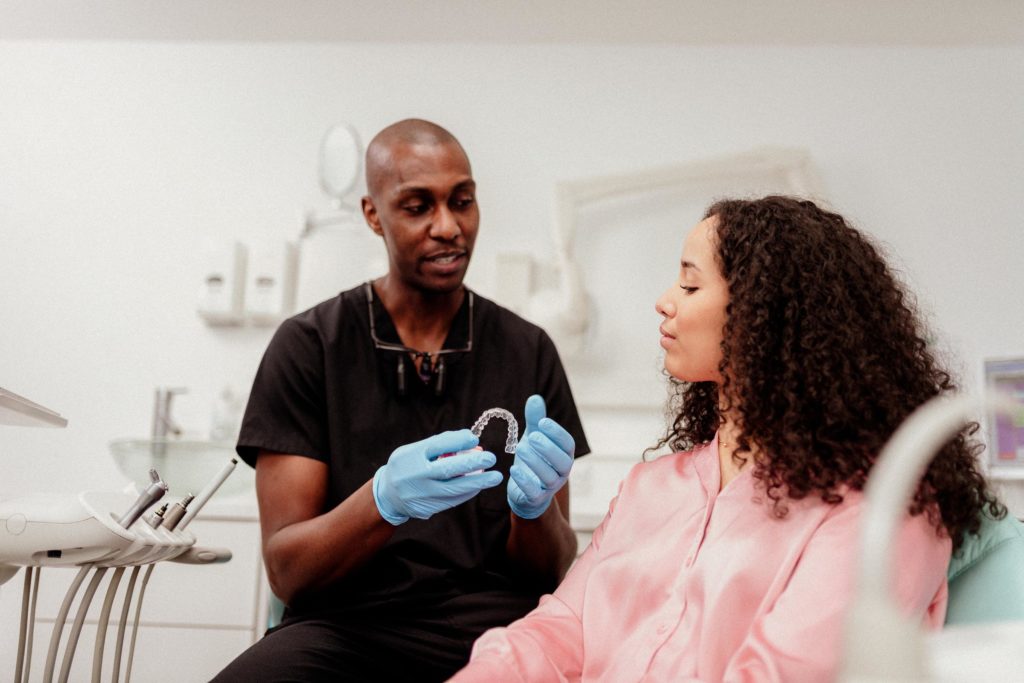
x=686 y=583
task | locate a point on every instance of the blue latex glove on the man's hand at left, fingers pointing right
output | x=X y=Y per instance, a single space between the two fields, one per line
x=416 y=484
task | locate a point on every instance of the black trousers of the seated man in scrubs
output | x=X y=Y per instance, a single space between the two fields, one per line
x=309 y=651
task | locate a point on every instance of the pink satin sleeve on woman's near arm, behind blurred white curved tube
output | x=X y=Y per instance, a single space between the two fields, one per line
x=812 y=608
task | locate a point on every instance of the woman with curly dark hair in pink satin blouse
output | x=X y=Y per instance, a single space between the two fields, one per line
x=795 y=355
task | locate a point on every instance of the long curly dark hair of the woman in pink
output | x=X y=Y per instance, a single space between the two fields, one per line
x=827 y=354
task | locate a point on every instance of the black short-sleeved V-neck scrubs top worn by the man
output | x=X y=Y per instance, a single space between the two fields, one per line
x=323 y=391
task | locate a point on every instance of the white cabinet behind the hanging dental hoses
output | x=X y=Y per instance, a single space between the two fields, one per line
x=195 y=619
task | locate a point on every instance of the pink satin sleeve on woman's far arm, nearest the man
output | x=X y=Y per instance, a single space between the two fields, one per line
x=547 y=644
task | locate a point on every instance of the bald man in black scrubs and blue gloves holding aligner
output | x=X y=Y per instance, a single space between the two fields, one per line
x=390 y=563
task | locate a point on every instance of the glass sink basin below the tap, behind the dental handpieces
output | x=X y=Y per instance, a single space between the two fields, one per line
x=187 y=466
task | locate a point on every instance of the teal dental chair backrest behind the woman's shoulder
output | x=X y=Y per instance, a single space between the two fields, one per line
x=987 y=575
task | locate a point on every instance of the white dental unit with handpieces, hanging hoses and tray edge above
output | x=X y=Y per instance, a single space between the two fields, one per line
x=95 y=532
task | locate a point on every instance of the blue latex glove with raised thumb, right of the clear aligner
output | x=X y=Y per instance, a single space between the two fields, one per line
x=543 y=461
